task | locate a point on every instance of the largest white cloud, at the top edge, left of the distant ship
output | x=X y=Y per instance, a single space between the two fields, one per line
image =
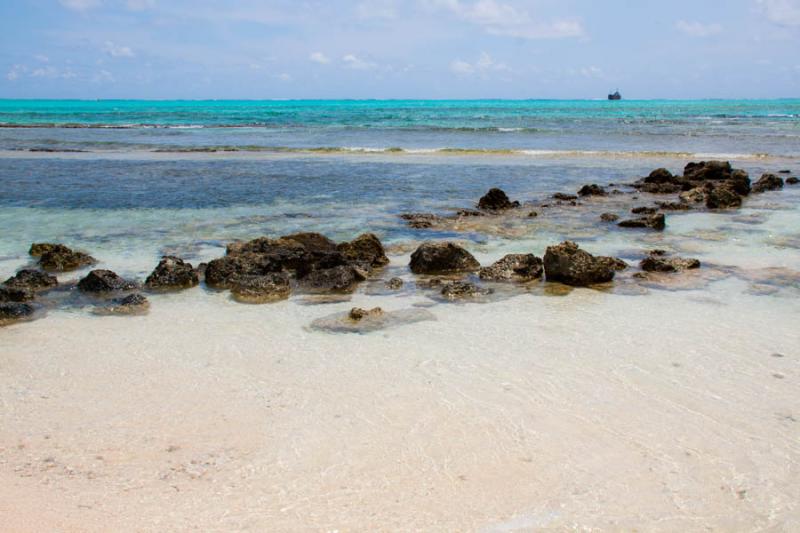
x=505 y=20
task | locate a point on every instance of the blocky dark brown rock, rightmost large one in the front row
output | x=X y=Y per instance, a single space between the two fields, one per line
x=570 y=265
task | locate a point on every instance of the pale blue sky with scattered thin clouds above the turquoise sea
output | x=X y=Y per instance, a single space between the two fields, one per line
x=251 y=49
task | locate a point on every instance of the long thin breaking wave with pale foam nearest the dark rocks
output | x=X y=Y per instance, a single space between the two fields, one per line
x=443 y=151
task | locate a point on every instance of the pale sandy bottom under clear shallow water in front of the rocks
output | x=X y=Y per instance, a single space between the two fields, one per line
x=671 y=411
